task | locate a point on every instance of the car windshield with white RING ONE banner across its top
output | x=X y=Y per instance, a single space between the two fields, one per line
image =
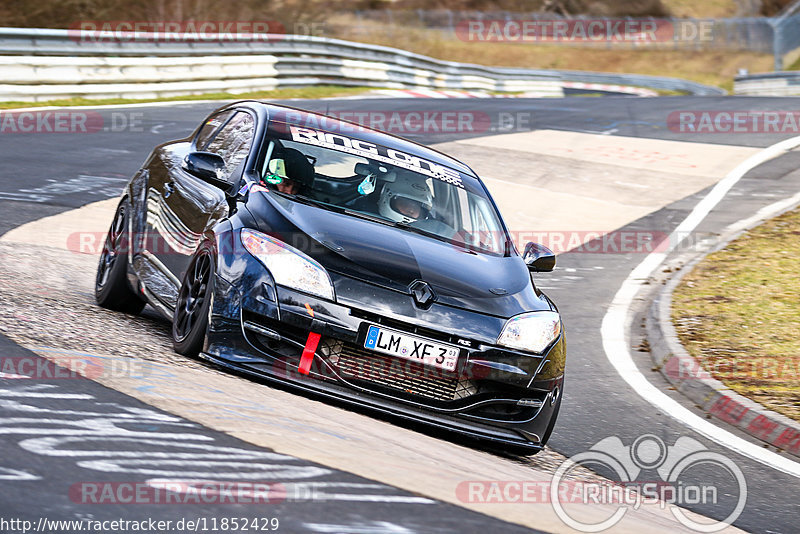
x=365 y=180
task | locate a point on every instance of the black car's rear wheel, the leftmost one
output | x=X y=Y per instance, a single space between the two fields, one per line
x=111 y=288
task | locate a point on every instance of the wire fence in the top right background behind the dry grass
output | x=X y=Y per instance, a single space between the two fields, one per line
x=777 y=35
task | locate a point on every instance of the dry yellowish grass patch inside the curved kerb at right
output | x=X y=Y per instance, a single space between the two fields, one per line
x=737 y=312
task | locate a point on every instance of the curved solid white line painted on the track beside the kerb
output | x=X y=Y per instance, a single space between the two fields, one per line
x=617 y=322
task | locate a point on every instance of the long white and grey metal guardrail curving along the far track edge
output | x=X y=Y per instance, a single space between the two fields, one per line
x=42 y=64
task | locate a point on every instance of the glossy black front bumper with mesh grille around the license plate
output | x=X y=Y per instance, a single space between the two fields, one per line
x=501 y=395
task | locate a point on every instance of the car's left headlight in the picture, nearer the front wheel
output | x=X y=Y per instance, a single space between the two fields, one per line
x=289 y=266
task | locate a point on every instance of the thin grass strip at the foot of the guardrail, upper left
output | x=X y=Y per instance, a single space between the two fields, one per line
x=321 y=91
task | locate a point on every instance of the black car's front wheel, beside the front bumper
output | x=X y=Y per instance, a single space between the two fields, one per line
x=190 y=320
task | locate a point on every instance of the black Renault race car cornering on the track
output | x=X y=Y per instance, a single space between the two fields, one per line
x=344 y=261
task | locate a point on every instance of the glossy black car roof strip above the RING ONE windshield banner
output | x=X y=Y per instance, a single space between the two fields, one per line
x=363 y=133
